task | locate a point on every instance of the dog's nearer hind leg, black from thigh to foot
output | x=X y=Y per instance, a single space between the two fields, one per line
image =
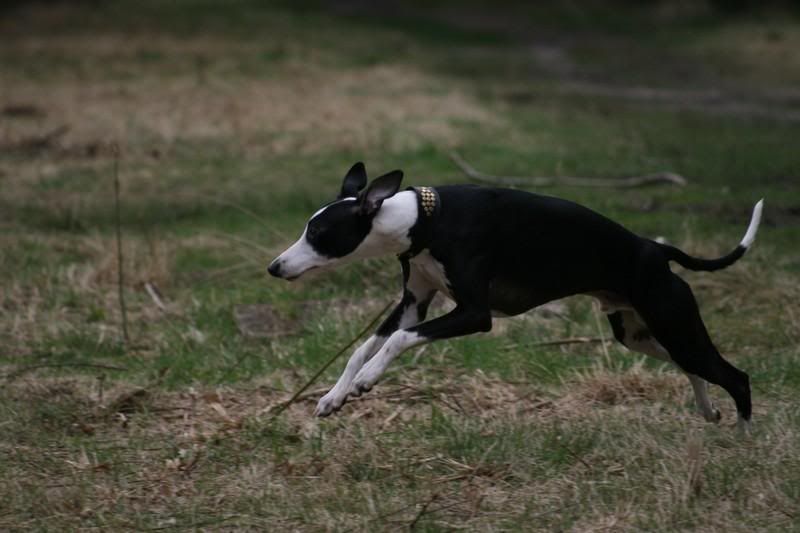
x=668 y=307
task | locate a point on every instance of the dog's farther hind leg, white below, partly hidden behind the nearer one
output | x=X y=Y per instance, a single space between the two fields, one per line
x=630 y=330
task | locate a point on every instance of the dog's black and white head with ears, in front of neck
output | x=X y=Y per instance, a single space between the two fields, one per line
x=342 y=229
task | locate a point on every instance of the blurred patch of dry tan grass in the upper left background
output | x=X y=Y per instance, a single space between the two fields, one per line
x=303 y=108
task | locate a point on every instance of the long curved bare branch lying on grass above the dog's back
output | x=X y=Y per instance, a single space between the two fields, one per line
x=543 y=181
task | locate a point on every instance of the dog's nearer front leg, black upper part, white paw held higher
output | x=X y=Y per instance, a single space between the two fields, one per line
x=460 y=321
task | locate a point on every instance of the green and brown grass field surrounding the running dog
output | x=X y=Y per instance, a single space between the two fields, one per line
x=235 y=121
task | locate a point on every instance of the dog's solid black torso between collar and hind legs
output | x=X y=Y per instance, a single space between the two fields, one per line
x=533 y=248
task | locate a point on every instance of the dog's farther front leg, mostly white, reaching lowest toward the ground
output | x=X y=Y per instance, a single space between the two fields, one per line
x=412 y=309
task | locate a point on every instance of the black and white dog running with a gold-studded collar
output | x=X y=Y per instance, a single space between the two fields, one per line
x=501 y=252
